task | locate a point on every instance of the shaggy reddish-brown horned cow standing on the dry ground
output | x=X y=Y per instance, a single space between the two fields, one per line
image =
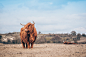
x=28 y=35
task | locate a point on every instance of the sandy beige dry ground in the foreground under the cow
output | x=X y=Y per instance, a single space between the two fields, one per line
x=43 y=50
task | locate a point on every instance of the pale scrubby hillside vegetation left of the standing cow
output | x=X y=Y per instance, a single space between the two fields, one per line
x=11 y=38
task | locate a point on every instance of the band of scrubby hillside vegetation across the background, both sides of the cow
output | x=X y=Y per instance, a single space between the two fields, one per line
x=14 y=38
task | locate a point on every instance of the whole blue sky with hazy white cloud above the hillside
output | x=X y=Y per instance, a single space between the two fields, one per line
x=50 y=16
